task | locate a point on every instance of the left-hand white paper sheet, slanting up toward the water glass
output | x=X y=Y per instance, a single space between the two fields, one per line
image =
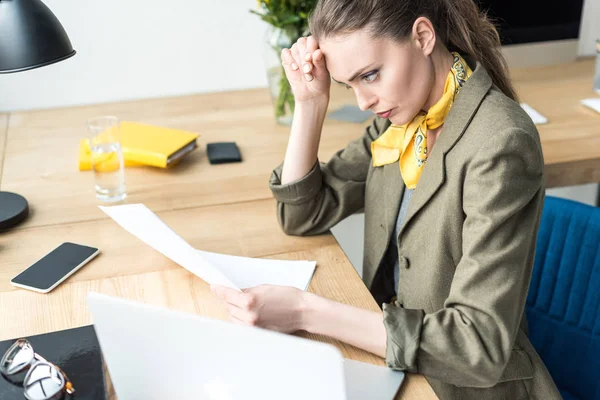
x=138 y=220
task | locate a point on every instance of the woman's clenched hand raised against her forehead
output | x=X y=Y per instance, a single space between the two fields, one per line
x=305 y=68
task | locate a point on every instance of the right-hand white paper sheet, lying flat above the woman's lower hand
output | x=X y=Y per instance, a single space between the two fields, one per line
x=248 y=272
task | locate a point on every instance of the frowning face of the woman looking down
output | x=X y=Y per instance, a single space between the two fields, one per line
x=394 y=80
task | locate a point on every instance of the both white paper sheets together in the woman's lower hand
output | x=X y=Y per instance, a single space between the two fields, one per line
x=232 y=271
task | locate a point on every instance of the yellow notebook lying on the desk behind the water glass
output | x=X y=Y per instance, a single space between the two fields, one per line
x=146 y=145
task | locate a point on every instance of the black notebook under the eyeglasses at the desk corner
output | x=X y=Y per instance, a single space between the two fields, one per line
x=76 y=351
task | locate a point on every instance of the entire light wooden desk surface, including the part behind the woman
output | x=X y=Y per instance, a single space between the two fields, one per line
x=225 y=208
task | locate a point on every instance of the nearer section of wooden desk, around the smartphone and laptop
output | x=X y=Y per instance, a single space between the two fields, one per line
x=129 y=269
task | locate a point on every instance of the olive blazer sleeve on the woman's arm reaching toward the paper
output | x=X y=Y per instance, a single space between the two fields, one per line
x=470 y=340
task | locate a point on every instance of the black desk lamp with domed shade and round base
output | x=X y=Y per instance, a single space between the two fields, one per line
x=30 y=37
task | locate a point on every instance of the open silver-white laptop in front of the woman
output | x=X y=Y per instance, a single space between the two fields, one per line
x=156 y=353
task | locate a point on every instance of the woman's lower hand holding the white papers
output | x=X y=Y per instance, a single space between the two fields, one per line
x=278 y=308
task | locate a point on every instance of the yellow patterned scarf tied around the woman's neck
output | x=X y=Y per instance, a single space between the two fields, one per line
x=409 y=142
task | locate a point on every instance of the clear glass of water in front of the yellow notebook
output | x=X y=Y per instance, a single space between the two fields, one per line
x=107 y=158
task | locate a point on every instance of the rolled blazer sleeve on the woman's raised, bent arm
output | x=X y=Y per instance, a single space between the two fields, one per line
x=329 y=192
